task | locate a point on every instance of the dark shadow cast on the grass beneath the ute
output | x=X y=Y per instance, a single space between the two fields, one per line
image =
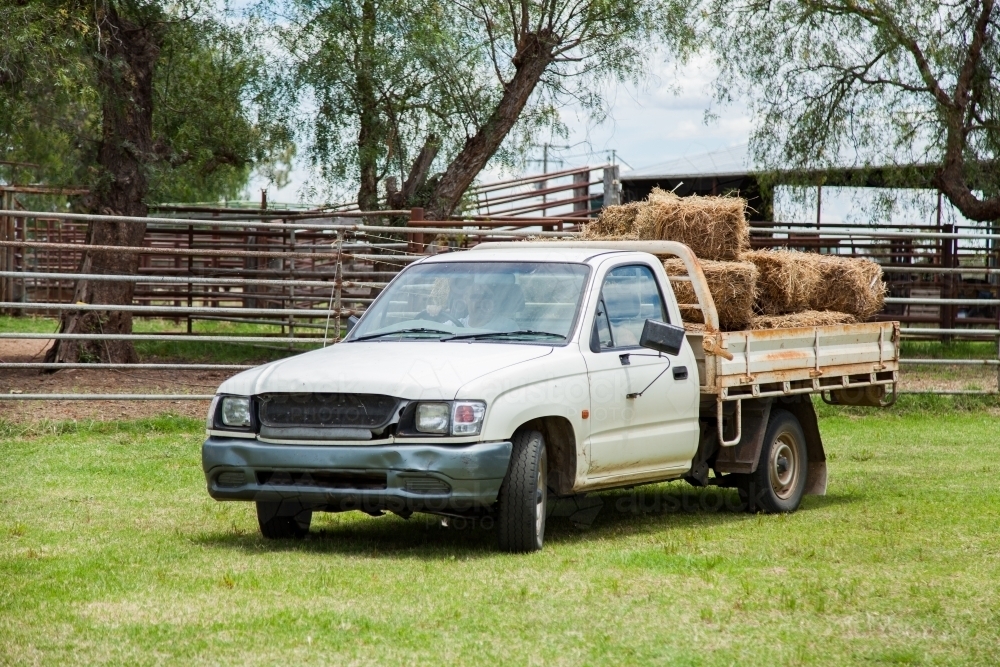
x=619 y=513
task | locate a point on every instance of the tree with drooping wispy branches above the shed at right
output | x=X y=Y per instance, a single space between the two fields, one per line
x=877 y=82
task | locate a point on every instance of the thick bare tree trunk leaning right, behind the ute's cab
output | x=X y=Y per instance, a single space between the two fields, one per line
x=534 y=54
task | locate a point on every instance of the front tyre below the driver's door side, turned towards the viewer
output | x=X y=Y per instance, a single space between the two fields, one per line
x=523 y=500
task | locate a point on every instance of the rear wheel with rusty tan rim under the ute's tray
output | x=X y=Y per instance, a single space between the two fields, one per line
x=780 y=479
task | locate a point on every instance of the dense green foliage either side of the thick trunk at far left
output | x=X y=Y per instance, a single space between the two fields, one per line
x=209 y=89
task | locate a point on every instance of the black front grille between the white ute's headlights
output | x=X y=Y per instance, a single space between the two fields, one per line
x=343 y=410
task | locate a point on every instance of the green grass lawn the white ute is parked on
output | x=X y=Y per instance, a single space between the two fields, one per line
x=111 y=552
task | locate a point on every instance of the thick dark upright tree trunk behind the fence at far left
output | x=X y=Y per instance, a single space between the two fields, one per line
x=126 y=55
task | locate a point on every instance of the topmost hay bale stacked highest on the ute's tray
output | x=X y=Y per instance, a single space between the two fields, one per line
x=715 y=228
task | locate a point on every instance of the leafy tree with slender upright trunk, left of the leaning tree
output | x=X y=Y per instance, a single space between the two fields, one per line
x=374 y=78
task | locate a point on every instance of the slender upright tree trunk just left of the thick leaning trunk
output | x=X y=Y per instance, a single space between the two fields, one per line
x=370 y=136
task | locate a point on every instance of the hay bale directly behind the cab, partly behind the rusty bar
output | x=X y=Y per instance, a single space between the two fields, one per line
x=733 y=286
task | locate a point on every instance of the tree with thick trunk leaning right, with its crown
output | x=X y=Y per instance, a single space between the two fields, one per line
x=545 y=52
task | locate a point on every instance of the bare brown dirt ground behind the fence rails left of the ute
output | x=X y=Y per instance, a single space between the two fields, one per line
x=30 y=381
